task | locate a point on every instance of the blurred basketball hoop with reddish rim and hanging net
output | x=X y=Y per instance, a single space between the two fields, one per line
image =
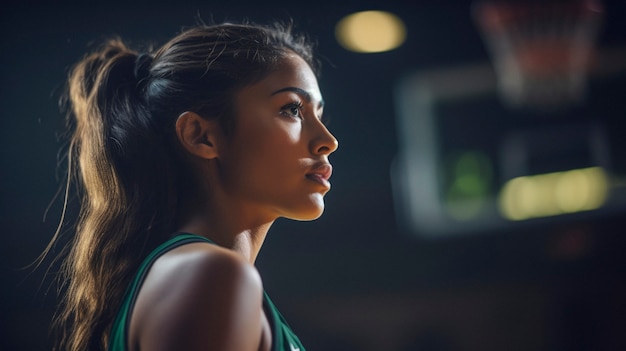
x=541 y=50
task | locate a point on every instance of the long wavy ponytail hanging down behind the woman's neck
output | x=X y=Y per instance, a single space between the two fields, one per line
x=115 y=149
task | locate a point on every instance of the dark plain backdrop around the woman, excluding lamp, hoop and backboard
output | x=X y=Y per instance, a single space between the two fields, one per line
x=352 y=280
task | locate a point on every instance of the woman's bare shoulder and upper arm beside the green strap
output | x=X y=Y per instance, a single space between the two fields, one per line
x=197 y=297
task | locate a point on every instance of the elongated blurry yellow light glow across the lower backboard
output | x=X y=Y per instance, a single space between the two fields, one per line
x=553 y=193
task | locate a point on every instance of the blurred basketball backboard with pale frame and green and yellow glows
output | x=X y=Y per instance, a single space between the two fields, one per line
x=469 y=162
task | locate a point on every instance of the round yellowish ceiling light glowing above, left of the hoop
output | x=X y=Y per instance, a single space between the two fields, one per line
x=370 y=31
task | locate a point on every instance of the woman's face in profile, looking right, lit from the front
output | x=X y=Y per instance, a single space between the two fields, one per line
x=275 y=163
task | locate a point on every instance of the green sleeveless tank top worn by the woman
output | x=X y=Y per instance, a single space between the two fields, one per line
x=283 y=338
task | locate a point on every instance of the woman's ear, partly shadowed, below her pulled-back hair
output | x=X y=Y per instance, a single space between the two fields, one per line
x=198 y=135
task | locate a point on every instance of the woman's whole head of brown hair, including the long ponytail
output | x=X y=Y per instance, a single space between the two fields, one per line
x=124 y=155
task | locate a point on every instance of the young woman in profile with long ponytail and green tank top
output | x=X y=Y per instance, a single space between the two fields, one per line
x=185 y=158
